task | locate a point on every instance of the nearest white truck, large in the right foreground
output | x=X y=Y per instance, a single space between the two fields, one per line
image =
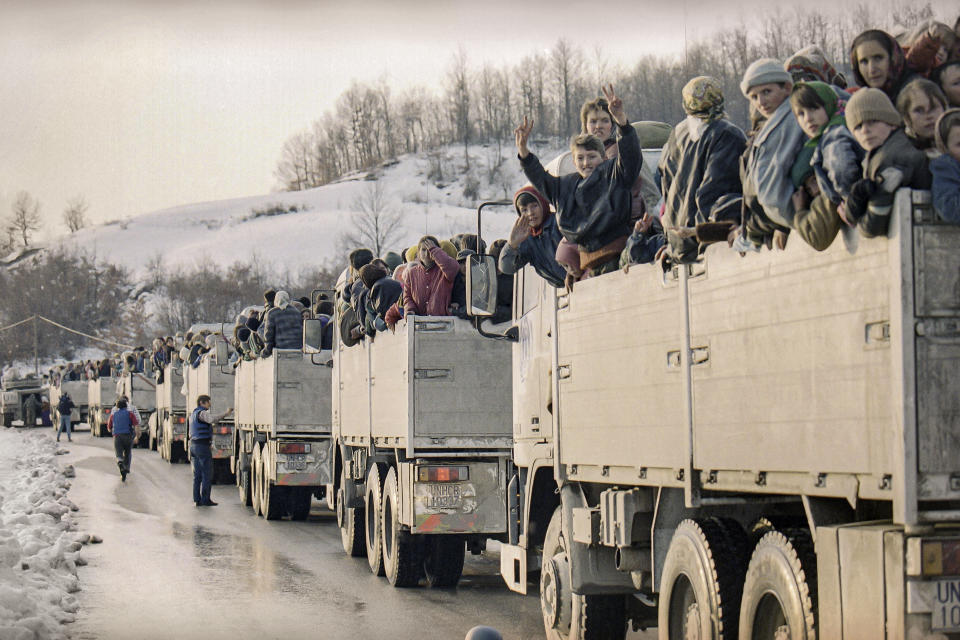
x=758 y=447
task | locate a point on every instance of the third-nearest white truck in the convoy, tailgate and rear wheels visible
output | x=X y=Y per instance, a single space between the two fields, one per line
x=282 y=453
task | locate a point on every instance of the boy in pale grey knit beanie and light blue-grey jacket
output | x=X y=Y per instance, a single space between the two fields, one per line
x=767 y=187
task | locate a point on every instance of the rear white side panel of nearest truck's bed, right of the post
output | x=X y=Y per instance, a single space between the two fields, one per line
x=791 y=359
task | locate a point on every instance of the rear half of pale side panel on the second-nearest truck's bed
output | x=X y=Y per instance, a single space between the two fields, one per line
x=390 y=364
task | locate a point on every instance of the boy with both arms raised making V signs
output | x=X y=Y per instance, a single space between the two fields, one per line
x=593 y=205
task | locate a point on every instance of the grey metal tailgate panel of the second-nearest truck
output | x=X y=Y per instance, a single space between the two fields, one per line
x=462 y=382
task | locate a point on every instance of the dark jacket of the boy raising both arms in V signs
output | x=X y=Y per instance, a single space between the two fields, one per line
x=595 y=211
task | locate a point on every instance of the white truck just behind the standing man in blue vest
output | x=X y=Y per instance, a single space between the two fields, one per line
x=212 y=378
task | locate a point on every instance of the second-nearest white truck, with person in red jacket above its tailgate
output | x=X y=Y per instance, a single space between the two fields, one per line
x=421 y=421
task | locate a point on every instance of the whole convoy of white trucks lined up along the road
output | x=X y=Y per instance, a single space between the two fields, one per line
x=759 y=446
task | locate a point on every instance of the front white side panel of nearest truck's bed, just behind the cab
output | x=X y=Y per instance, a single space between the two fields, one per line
x=619 y=382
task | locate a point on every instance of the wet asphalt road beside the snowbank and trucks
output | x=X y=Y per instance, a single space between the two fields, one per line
x=167 y=569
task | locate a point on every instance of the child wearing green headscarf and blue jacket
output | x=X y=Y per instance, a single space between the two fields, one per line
x=833 y=157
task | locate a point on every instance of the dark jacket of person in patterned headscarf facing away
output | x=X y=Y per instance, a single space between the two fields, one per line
x=696 y=170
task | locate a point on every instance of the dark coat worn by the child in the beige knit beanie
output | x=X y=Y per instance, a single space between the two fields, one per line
x=898 y=164
